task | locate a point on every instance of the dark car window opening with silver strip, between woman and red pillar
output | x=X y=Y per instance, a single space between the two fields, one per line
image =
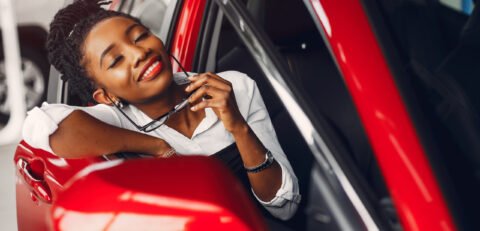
x=334 y=172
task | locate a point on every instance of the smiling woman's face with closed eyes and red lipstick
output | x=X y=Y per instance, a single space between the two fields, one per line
x=126 y=60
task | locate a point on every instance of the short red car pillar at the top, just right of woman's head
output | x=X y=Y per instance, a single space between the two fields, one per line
x=186 y=34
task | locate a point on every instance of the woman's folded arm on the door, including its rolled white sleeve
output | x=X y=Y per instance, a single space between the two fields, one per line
x=76 y=132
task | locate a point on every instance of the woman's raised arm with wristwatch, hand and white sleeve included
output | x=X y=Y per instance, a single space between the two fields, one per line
x=275 y=187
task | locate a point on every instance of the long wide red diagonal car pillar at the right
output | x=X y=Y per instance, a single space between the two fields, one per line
x=404 y=165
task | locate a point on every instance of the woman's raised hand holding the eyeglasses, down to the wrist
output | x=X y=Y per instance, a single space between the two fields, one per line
x=210 y=90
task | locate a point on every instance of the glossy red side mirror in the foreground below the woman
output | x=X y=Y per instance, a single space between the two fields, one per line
x=181 y=193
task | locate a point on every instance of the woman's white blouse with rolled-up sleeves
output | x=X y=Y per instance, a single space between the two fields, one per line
x=208 y=138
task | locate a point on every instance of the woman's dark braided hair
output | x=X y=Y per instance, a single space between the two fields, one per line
x=68 y=31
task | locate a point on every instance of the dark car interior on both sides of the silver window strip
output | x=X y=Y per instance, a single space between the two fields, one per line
x=312 y=69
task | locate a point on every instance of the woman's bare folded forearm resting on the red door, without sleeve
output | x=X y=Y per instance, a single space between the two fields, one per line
x=81 y=135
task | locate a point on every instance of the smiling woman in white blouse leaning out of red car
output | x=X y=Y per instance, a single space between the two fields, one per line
x=112 y=59
